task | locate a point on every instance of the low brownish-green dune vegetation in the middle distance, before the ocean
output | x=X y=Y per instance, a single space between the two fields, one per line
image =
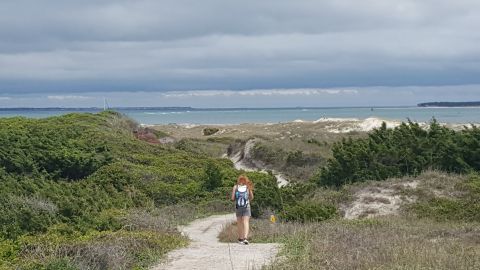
x=296 y=150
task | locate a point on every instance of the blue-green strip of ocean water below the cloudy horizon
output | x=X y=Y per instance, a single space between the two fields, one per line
x=151 y=116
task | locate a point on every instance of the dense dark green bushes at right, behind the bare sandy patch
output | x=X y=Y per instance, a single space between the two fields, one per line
x=405 y=150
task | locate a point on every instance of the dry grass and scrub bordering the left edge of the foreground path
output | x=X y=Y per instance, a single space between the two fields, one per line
x=146 y=236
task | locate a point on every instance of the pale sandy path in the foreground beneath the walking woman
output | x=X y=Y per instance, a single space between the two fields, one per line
x=205 y=252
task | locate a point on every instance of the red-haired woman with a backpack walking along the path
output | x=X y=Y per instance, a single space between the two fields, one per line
x=242 y=194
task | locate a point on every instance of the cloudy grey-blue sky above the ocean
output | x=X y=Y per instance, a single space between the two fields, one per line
x=220 y=53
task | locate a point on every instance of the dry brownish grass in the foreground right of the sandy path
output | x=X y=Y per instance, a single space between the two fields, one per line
x=389 y=243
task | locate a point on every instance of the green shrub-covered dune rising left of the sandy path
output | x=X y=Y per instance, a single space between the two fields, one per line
x=80 y=191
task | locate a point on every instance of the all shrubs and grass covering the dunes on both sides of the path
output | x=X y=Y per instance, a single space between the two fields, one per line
x=86 y=191
